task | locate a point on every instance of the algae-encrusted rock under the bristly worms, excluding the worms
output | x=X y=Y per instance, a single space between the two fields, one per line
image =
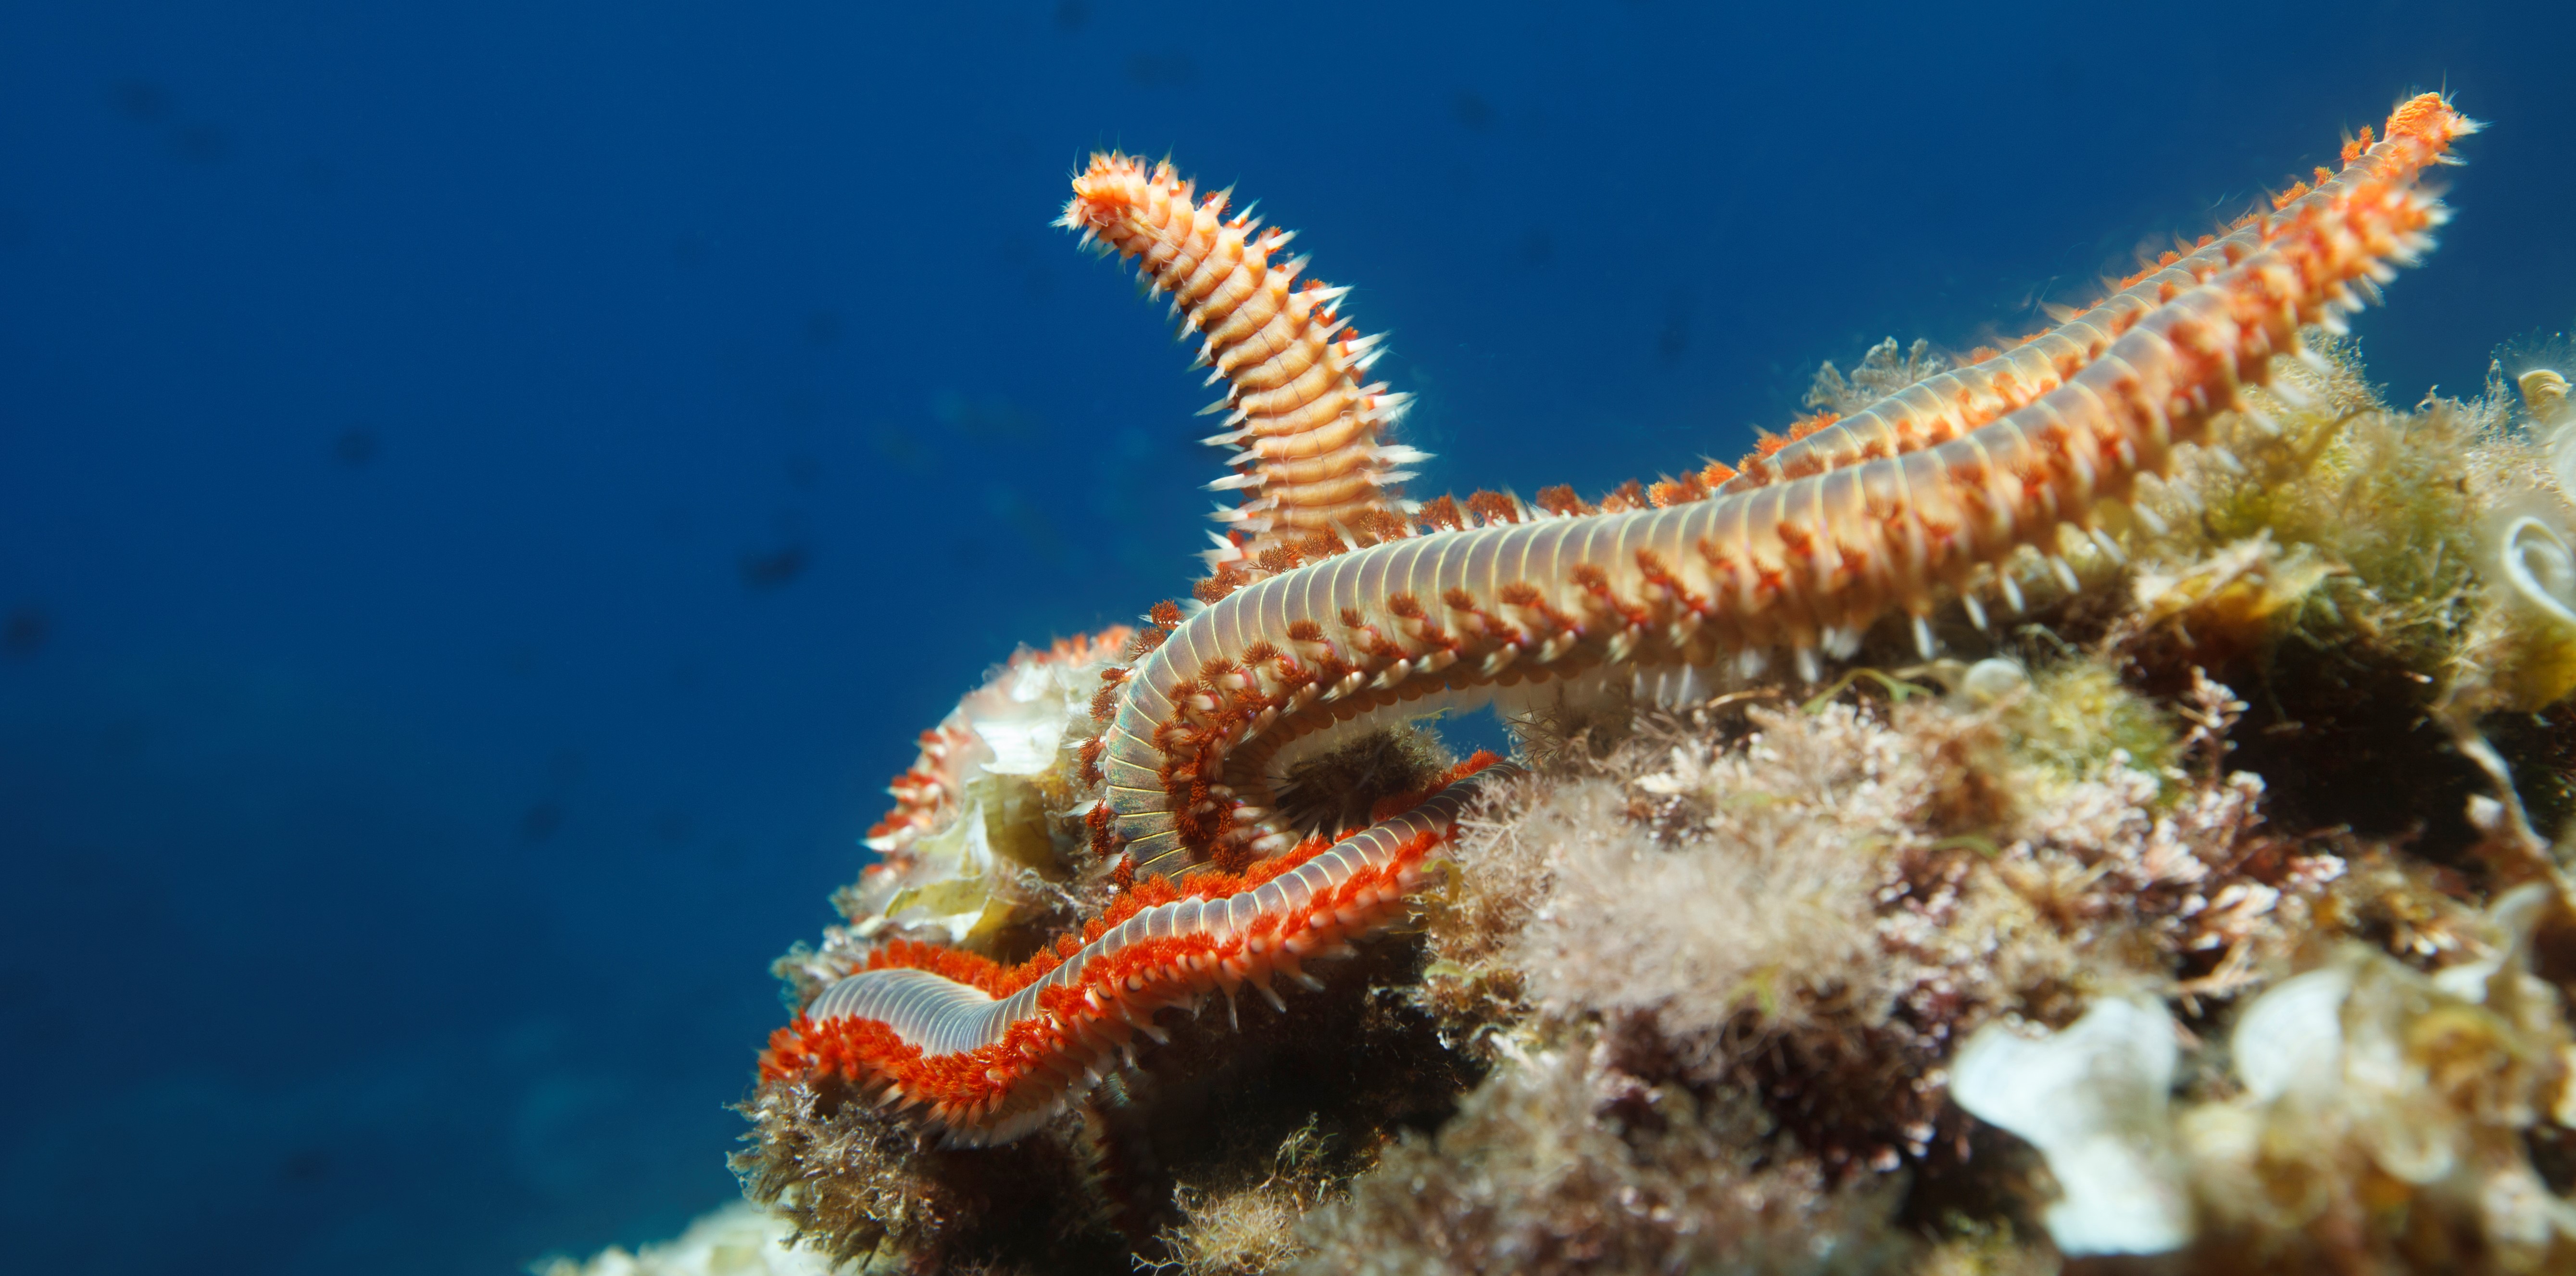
x=2173 y=919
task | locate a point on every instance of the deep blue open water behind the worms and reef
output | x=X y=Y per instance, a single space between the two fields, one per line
x=488 y=494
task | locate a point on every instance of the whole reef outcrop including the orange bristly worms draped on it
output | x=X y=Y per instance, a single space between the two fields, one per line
x=2090 y=800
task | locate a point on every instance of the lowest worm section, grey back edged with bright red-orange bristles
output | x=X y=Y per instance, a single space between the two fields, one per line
x=1003 y=1053
